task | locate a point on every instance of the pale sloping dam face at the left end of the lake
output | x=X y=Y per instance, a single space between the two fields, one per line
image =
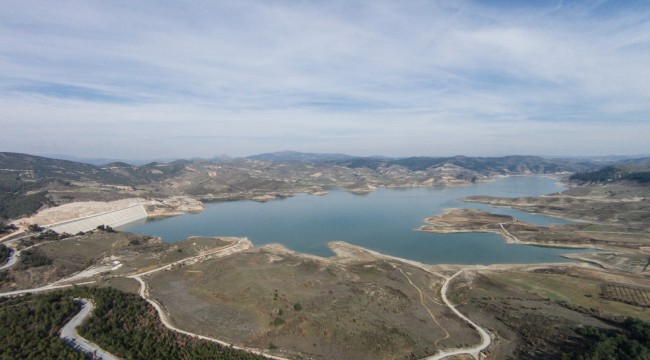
x=112 y=218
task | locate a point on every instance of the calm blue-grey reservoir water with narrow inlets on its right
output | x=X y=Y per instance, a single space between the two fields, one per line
x=383 y=220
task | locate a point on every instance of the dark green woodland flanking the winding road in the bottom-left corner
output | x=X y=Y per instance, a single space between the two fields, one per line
x=122 y=324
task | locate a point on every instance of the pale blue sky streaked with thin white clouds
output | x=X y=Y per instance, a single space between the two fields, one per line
x=178 y=79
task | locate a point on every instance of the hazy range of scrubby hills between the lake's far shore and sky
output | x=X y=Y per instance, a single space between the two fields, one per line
x=29 y=183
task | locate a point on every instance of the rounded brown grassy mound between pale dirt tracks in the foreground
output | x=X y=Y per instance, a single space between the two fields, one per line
x=312 y=307
